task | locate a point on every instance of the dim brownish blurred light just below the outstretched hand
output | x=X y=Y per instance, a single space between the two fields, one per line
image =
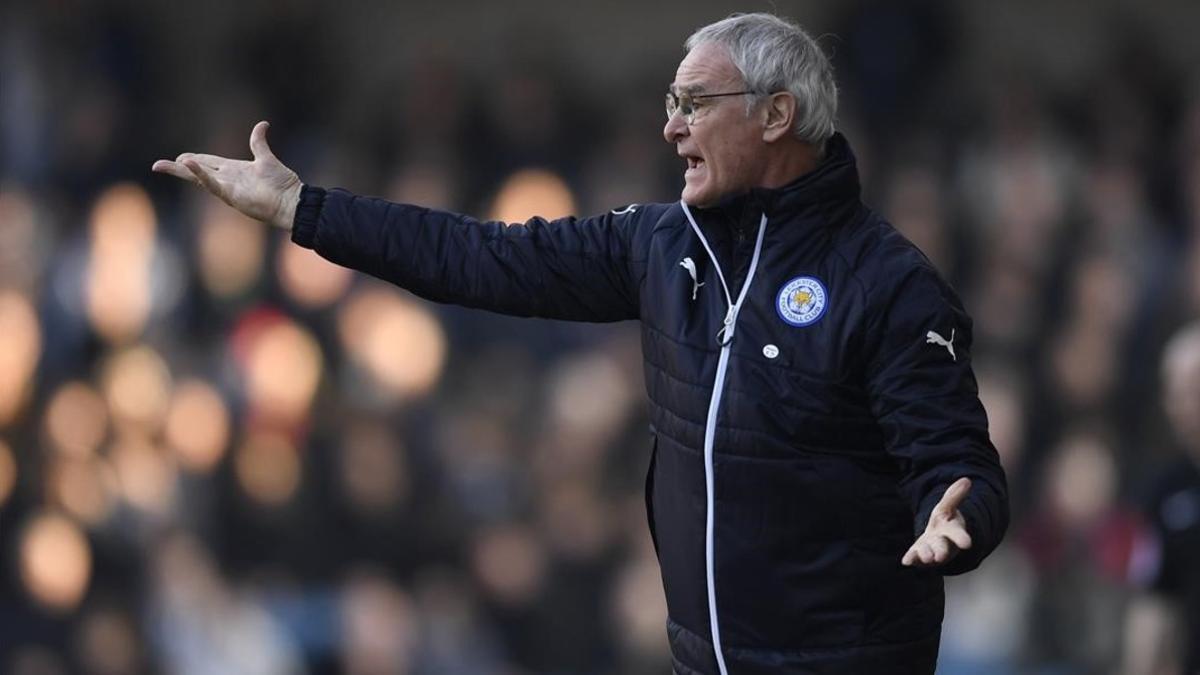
x=230 y=250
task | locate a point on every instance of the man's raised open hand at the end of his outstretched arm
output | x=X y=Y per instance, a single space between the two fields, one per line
x=262 y=189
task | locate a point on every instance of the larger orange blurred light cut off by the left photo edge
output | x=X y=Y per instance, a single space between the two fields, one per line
x=21 y=348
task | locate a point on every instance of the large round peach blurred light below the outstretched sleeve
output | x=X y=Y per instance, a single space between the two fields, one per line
x=399 y=342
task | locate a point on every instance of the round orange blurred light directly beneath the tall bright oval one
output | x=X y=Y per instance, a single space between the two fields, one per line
x=137 y=386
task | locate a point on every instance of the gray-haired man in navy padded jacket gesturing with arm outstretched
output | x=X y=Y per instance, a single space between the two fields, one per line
x=821 y=458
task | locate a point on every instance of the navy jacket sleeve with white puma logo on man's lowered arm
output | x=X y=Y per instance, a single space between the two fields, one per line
x=926 y=398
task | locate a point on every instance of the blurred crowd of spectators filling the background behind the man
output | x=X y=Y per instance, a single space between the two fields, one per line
x=221 y=455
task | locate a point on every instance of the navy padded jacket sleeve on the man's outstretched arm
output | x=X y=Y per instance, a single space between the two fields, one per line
x=571 y=268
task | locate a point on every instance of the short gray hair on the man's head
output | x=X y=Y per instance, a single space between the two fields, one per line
x=775 y=55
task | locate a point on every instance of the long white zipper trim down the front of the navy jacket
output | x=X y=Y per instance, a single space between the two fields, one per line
x=725 y=338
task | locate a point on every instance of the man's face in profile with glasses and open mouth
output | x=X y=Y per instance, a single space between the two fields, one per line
x=724 y=147
